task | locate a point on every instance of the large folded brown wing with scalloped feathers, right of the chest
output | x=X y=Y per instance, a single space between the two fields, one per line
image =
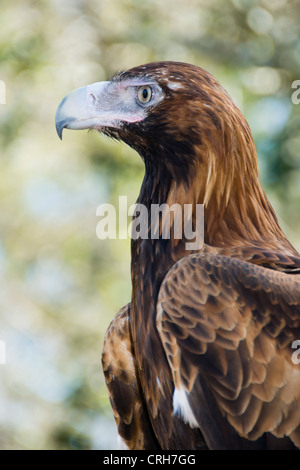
x=227 y=327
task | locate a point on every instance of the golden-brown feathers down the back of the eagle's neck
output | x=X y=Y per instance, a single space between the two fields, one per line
x=225 y=178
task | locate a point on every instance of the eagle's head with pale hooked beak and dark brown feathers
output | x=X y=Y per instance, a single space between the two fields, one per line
x=174 y=114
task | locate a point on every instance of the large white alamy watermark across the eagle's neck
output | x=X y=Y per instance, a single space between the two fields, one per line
x=159 y=221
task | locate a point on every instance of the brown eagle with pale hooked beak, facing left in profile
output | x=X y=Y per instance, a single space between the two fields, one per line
x=202 y=356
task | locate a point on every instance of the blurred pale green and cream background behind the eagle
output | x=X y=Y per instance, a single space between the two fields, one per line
x=61 y=285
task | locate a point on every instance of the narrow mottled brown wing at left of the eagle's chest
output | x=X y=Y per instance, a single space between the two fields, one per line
x=119 y=366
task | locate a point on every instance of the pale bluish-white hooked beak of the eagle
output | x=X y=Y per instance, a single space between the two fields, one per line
x=80 y=109
